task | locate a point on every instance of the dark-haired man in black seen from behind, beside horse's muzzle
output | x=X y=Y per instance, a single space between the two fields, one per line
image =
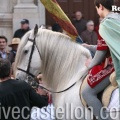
x=16 y=97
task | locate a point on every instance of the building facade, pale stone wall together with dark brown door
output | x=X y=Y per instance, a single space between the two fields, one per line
x=13 y=11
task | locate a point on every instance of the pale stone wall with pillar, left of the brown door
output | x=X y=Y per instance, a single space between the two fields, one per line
x=13 y=11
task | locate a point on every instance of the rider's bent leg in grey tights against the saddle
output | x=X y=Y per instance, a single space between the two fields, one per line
x=90 y=96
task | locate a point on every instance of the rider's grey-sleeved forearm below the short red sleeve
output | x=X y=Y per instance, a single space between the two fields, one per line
x=98 y=58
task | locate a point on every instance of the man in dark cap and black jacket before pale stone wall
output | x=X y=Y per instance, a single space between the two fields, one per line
x=24 y=28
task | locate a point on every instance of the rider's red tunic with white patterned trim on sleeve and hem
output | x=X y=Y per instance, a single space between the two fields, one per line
x=101 y=71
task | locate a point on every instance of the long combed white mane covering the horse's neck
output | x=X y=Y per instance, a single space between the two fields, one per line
x=63 y=61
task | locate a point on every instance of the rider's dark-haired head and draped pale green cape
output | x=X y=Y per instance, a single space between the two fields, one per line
x=110 y=31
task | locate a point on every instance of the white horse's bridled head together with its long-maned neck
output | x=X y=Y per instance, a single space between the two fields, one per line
x=54 y=54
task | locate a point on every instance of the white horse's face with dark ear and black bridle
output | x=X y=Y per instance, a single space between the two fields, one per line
x=28 y=60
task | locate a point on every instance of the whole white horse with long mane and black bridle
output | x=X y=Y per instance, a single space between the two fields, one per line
x=62 y=63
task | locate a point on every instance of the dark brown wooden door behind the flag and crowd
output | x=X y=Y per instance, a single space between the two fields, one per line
x=87 y=8
